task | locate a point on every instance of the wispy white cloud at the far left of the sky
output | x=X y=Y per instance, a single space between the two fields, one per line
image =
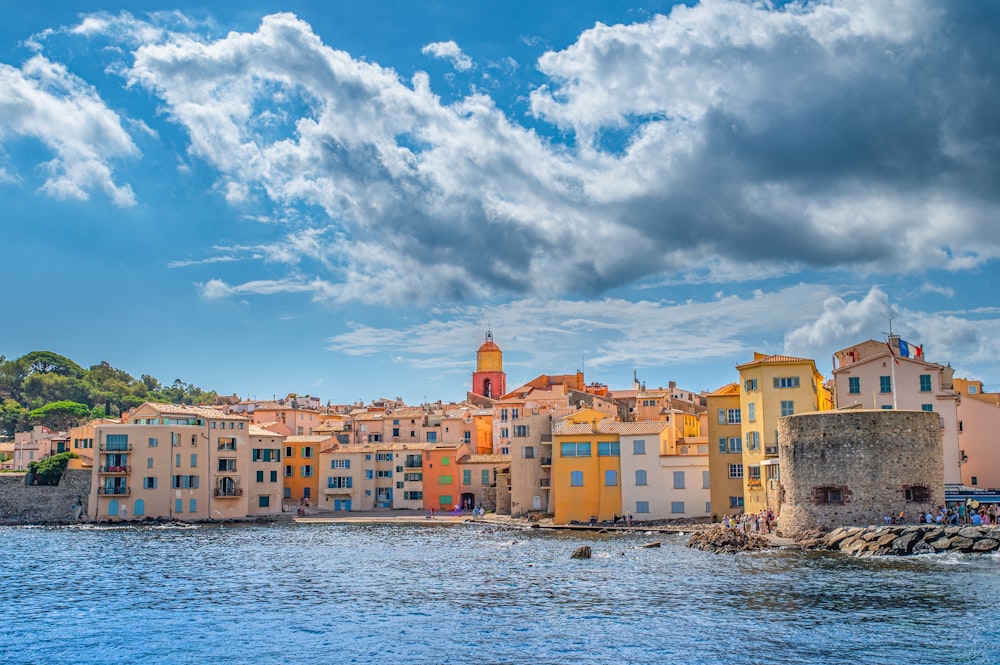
x=43 y=101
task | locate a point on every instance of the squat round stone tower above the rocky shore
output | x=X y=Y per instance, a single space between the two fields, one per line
x=854 y=467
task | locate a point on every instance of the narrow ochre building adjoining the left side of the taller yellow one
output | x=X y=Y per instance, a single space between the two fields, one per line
x=725 y=452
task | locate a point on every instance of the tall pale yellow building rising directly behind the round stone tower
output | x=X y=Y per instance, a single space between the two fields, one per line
x=771 y=387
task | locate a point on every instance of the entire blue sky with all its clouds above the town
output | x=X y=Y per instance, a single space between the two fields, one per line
x=339 y=198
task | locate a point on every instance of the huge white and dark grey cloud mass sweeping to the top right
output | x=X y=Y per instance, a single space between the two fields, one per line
x=727 y=134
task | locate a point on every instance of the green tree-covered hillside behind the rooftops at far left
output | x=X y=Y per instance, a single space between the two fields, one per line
x=44 y=388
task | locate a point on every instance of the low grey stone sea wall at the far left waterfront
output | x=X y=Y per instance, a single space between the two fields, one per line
x=24 y=504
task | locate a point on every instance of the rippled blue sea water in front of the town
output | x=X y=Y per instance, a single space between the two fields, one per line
x=337 y=593
